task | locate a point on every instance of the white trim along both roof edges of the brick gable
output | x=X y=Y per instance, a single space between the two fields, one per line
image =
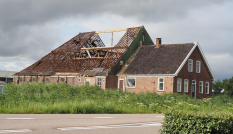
x=187 y=57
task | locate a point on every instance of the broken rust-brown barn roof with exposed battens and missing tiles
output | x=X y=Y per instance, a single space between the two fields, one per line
x=83 y=53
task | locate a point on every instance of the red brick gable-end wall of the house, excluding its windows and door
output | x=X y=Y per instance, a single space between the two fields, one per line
x=202 y=76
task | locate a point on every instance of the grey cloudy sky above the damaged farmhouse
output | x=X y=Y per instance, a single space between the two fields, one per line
x=29 y=29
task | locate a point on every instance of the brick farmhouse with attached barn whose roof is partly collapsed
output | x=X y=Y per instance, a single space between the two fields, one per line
x=134 y=64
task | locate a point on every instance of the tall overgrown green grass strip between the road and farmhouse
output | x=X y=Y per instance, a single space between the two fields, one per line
x=63 y=98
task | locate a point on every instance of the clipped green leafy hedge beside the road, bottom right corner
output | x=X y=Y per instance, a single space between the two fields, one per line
x=176 y=122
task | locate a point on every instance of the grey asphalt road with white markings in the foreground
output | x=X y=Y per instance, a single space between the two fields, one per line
x=80 y=123
